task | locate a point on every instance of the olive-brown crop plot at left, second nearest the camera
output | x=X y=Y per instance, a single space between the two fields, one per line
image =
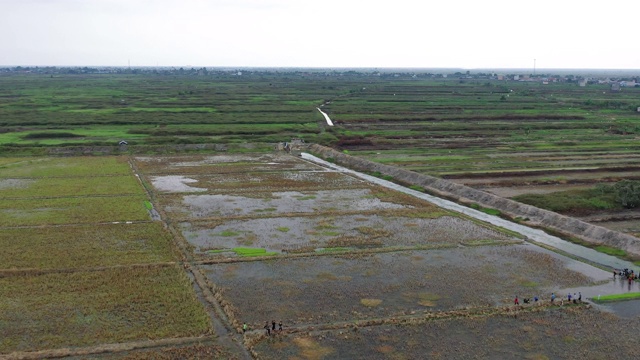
x=85 y=246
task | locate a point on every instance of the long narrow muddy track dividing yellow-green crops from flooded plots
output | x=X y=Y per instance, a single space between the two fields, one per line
x=206 y=292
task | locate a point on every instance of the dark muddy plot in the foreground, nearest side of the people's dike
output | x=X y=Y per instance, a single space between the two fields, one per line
x=559 y=333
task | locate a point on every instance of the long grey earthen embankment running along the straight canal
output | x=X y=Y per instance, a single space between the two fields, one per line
x=531 y=215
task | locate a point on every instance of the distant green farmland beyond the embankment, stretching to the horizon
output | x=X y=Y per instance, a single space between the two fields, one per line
x=510 y=138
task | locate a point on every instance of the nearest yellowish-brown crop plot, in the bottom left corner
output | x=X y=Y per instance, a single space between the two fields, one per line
x=88 y=308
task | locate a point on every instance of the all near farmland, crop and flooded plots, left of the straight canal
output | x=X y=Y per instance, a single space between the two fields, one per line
x=253 y=237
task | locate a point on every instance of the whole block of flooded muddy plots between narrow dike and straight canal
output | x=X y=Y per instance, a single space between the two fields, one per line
x=343 y=251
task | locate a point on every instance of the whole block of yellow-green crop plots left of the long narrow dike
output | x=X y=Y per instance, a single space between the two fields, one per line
x=76 y=270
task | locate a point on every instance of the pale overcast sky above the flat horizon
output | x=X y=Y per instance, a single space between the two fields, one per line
x=328 y=33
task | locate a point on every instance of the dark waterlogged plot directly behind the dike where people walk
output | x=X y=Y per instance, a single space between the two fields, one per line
x=327 y=289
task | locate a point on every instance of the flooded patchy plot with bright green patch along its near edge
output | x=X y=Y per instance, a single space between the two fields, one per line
x=291 y=233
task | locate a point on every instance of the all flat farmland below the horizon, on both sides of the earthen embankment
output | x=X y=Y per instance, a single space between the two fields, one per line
x=160 y=253
